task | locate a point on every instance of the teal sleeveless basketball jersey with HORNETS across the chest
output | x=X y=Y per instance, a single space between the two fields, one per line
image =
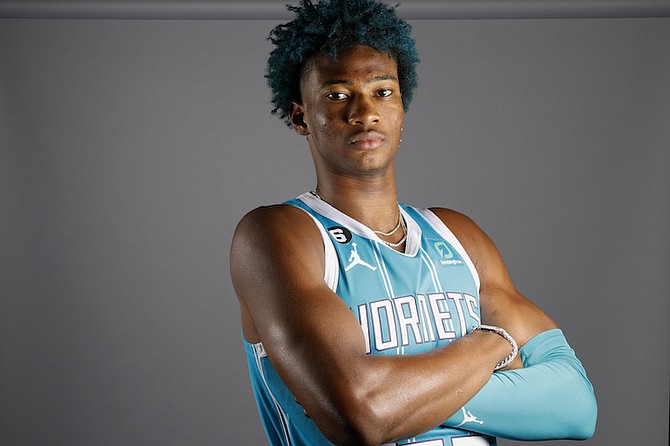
x=406 y=302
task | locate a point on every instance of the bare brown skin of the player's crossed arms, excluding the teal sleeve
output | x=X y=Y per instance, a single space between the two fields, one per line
x=316 y=345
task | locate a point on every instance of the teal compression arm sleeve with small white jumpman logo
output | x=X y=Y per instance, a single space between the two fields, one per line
x=550 y=398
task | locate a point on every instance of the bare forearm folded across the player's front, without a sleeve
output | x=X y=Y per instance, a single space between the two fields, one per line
x=392 y=399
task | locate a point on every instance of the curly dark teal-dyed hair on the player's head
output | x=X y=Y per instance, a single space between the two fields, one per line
x=326 y=28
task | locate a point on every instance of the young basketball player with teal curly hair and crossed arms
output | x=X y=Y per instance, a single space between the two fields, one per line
x=370 y=322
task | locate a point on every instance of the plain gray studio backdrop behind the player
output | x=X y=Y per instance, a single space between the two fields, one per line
x=130 y=149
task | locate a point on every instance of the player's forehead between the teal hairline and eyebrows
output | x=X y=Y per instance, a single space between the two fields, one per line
x=354 y=63
